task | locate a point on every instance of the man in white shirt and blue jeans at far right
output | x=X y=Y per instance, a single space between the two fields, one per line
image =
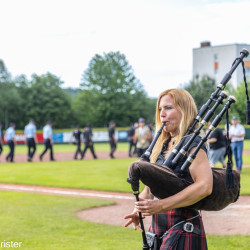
x=237 y=134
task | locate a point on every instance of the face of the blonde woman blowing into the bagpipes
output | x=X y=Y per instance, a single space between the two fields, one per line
x=170 y=115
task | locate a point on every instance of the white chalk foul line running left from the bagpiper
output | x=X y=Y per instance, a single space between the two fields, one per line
x=61 y=192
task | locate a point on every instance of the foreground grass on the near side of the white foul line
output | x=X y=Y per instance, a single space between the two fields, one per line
x=49 y=222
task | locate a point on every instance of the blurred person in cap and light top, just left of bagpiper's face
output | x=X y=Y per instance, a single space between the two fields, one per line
x=143 y=137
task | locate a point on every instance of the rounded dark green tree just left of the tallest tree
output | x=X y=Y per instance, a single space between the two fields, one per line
x=46 y=100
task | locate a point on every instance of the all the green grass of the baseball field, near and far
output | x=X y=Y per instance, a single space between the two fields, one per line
x=49 y=222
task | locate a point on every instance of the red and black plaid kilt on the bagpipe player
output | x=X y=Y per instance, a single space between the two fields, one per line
x=177 y=238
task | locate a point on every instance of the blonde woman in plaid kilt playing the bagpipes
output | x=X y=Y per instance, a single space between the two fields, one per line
x=176 y=226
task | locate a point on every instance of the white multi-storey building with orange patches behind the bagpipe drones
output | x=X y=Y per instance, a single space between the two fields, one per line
x=216 y=61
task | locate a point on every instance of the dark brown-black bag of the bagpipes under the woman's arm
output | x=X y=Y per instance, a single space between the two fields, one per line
x=163 y=182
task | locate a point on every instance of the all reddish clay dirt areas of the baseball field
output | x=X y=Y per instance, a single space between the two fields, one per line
x=235 y=219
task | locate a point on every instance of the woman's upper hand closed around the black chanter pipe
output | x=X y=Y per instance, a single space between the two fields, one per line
x=149 y=207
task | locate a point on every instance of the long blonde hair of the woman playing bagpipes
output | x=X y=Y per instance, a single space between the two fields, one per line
x=183 y=102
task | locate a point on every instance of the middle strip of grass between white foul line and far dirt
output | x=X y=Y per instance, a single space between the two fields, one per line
x=108 y=175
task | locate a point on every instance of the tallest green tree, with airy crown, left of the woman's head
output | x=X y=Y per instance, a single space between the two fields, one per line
x=110 y=91
